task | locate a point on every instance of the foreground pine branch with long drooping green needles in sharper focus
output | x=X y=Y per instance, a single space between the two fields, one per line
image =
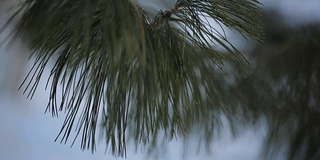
x=140 y=76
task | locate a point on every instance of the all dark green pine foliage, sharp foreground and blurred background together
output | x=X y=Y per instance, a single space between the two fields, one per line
x=134 y=77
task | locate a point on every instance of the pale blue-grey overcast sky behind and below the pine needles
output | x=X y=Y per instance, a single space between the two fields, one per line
x=27 y=133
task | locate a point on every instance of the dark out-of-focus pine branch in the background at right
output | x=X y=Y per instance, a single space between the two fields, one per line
x=287 y=72
